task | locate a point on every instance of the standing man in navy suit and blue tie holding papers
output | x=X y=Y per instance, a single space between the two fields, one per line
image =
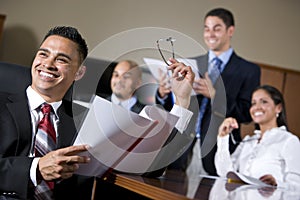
x=238 y=78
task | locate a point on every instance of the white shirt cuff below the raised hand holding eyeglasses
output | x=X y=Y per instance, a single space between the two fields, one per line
x=184 y=117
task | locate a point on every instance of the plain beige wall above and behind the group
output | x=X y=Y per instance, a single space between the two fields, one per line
x=266 y=31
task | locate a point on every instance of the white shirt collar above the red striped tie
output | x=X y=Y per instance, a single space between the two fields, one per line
x=35 y=100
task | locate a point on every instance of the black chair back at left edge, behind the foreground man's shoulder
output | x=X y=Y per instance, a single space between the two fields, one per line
x=14 y=78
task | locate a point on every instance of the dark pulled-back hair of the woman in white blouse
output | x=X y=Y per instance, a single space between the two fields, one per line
x=277 y=97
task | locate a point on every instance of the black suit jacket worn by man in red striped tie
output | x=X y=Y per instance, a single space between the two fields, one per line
x=15 y=143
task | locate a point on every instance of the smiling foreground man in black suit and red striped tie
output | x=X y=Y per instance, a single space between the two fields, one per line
x=57 y=64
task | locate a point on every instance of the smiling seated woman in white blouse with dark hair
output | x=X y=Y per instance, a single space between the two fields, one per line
x=271 y=155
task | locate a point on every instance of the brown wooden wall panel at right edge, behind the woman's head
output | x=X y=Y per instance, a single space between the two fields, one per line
x=292 y=101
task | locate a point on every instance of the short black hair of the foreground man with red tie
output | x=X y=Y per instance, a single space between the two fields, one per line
x=72 y=34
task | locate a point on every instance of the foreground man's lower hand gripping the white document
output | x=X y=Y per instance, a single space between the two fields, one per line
x=61 y=163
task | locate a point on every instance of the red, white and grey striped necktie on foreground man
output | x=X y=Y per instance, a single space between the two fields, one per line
x=45 y=141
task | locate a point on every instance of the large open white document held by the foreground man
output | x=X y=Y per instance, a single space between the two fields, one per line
x=122 y=140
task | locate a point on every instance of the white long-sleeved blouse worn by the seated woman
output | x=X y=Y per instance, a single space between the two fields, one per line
x=277 y=154
